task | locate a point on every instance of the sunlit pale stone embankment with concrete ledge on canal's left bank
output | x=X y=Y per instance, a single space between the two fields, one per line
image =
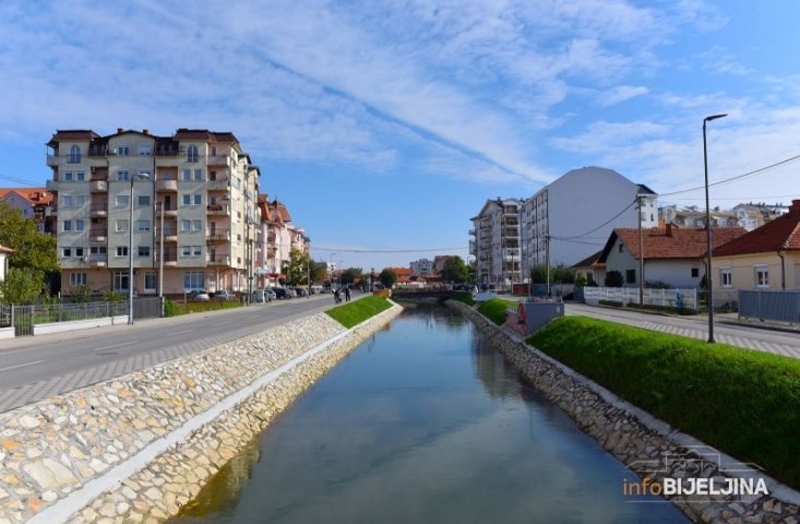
x=139 y=447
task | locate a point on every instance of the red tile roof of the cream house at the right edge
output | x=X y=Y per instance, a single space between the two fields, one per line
x=780 y=234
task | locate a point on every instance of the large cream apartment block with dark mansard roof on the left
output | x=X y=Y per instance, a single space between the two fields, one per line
x=179 y=210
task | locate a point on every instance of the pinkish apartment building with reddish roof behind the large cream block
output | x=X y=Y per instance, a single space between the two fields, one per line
x=277 y=238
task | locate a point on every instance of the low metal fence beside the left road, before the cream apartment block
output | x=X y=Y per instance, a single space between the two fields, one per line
x=24 y=318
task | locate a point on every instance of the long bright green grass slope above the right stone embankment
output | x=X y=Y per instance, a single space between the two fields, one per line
x=743 y=402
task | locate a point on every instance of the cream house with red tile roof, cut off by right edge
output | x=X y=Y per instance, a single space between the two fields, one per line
x=766 y=258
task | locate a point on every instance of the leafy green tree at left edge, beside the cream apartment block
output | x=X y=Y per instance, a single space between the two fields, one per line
x=34 y=255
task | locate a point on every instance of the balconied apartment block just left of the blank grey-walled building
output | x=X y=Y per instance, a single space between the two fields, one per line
x=496 y=242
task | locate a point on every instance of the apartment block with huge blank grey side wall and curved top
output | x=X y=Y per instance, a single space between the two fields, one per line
x=573 y=216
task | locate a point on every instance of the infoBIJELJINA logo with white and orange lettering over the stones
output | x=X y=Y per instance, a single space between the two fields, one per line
x=696 y=475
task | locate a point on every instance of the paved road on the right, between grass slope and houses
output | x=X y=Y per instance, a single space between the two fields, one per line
x=726 y=329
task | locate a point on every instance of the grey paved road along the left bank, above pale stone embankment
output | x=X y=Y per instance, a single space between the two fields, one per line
x=34 y=368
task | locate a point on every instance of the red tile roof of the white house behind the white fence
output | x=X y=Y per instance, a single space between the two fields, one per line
x=672 y=241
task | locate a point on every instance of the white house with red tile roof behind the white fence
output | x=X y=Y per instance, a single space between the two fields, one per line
x=673 y=256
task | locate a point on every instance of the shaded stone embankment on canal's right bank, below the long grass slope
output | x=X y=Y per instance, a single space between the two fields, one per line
x=647 y=446
